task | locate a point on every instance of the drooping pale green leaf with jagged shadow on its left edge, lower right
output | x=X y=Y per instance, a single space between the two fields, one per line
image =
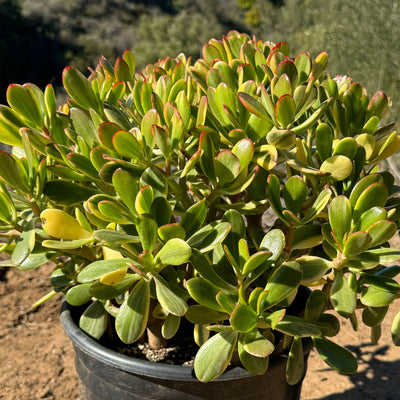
x=343 y=298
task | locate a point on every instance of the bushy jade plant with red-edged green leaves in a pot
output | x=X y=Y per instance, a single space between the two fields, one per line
x=207 y=193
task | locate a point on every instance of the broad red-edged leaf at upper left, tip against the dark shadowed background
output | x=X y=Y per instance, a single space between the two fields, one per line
x=79 y=88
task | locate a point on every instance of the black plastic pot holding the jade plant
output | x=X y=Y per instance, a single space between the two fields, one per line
x=105 y=374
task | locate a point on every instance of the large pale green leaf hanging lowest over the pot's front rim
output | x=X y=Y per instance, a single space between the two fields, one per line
x=214 y=356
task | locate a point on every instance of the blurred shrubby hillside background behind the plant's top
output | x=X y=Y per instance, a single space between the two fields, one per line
x=39 y=37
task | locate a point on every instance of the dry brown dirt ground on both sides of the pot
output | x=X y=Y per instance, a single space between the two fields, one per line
x=36 y=357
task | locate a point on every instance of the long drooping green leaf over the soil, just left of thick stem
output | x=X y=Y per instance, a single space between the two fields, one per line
x=131 y=320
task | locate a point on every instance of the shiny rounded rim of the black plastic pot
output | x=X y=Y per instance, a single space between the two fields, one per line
x=148 y=368
